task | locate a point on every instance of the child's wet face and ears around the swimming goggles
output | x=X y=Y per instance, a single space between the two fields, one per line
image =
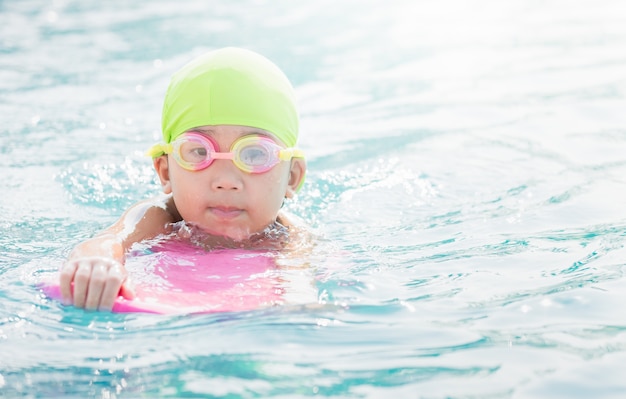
x=224 y=200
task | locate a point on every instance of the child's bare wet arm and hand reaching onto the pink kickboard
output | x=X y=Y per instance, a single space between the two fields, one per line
x=96 y=266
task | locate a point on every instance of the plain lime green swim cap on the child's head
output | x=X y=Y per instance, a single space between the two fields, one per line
x=230 y=86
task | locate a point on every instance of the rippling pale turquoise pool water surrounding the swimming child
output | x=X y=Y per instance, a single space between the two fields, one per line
x=467 y=181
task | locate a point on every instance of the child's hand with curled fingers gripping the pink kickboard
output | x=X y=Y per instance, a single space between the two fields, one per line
x=94 y=283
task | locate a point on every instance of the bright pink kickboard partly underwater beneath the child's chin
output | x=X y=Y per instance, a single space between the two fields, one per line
x=179 y=279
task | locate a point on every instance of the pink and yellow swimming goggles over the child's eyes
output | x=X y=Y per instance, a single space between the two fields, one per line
x=252 y=153
